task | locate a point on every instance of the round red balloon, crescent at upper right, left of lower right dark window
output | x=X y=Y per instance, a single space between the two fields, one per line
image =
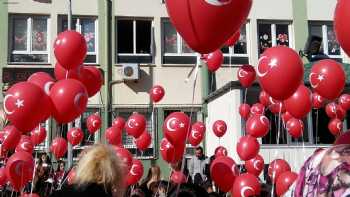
x=257 y=126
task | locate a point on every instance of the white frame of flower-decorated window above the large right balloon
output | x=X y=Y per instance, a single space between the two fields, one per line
x=273 y=24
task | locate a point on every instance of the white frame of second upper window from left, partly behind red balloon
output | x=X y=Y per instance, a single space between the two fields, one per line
x=78 y=27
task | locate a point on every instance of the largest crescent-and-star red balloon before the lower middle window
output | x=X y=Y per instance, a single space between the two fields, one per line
x=176 y=127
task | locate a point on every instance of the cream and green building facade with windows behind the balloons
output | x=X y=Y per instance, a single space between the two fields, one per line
x=122 y=32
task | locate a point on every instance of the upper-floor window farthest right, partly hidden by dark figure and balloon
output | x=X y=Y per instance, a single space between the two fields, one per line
x=325 y=30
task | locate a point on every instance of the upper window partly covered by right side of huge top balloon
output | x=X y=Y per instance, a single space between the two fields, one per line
x=238 y=53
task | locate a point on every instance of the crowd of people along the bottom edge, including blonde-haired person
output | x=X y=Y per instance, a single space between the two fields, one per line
x=99 y=173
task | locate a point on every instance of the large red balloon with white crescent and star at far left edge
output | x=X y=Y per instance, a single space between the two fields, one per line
x=22 y=103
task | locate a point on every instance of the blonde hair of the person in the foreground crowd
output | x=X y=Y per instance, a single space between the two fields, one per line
x=100 y=165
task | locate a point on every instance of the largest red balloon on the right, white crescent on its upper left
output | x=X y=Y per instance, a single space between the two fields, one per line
x=280 y=72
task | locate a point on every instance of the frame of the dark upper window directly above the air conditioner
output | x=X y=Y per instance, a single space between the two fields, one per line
x=134 y=19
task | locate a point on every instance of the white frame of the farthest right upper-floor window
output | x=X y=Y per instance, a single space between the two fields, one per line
x=324 y=28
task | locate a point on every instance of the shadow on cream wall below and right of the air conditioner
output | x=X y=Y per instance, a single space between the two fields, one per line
x=144 y=84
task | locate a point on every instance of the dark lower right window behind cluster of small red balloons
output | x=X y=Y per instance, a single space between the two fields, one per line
x=275 y=122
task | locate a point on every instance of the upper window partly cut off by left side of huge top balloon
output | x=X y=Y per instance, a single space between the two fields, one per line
x=175 y=49
